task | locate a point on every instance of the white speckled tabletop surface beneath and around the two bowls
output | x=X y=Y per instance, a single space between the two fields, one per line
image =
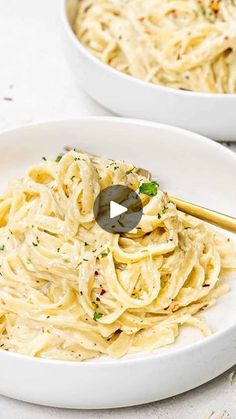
x=37 y=85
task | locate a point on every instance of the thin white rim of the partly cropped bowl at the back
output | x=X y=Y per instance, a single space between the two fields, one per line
x=128 y=78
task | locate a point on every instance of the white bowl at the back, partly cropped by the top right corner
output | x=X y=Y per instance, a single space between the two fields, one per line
x=212 y=115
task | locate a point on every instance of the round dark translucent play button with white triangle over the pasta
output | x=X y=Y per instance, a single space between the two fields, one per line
x=118 y=209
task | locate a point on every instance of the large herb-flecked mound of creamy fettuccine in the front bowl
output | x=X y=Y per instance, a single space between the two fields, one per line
x=69 y=290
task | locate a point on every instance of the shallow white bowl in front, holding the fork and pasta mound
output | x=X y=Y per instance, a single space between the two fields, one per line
x=184 y=163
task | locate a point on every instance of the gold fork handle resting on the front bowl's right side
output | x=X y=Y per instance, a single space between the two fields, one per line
x=213 y=217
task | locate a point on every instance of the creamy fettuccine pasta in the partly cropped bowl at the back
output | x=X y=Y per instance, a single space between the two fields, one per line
x=184 y=44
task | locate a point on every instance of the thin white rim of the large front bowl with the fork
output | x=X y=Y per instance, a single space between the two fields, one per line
x=149 y=356
